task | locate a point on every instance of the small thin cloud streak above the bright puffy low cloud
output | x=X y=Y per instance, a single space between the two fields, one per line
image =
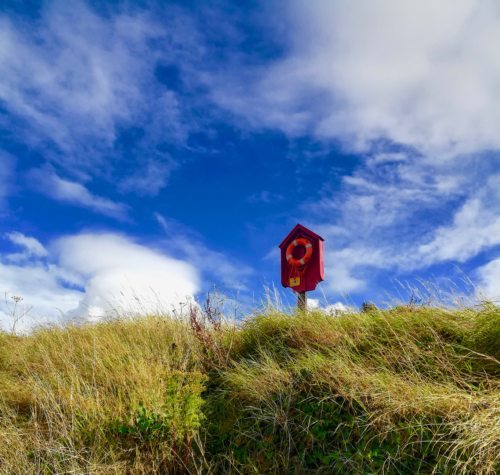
x=50 y=184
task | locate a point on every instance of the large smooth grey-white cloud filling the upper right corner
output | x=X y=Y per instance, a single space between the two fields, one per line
x=378 y=61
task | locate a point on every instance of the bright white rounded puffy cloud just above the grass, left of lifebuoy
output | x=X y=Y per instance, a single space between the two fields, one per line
x=124 y=277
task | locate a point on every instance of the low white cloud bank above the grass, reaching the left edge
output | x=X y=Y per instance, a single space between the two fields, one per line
x=91 y=275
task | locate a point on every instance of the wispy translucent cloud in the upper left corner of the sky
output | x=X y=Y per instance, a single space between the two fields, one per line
x=74 y=78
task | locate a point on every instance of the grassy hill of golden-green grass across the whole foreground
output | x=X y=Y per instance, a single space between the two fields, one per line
x=406 y=390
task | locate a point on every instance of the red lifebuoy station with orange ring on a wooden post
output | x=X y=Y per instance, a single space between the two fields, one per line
x=302 y=262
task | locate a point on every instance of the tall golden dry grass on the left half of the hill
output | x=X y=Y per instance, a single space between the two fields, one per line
x=73 y=400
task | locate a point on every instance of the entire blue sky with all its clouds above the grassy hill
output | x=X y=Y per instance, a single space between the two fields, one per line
x=153 y=150
